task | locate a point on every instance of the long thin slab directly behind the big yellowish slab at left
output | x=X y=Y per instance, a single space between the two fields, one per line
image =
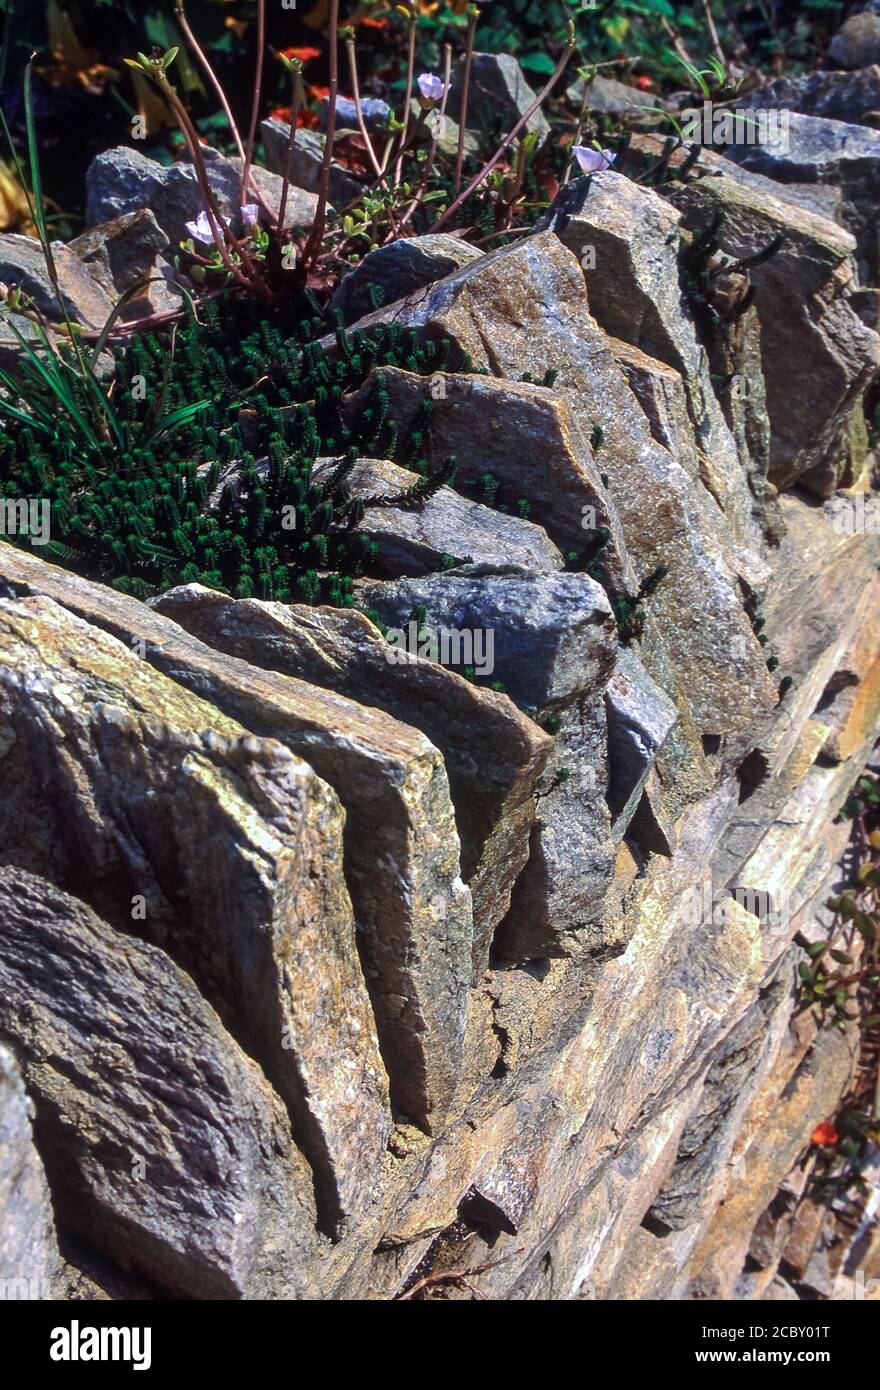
x=414 y=914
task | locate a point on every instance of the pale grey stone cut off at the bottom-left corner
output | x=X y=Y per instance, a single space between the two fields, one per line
x=28 y=1250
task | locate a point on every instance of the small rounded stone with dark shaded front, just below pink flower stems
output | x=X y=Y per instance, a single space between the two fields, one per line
x=400 y=269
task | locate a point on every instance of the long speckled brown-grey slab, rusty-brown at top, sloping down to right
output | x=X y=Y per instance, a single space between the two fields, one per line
x=525 y=308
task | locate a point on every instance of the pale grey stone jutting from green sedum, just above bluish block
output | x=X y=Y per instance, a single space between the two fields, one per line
x=418 y=539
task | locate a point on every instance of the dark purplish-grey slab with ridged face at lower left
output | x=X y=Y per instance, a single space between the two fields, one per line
x=168 y=1150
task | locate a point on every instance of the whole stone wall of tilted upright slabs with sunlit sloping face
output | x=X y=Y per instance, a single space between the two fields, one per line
x=329 y=975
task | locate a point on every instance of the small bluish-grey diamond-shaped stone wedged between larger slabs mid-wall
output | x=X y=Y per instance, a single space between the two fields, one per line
x=640 y=719
